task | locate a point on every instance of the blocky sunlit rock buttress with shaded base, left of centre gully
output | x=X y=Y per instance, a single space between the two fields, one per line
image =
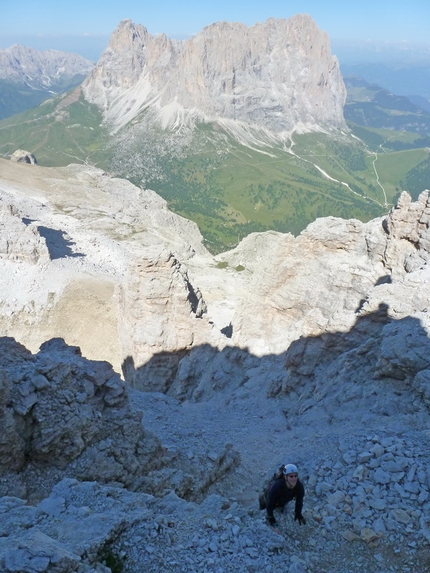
x=164 y=318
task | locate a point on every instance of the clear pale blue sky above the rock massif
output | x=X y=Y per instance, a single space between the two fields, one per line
x=84 y=26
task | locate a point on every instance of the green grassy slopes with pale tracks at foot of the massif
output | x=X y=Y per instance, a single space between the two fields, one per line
x=230 y=189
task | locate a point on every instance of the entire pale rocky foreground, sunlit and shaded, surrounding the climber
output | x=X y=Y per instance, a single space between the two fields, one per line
x=324 y=362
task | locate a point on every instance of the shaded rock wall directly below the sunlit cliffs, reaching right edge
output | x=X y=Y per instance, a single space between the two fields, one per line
x=377 y=347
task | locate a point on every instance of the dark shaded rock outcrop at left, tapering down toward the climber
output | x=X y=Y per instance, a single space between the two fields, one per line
x=65 y=416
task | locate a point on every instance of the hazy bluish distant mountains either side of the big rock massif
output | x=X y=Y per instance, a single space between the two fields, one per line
x=29 y=76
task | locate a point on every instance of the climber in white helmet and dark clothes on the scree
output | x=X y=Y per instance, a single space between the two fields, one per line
x=283 y=489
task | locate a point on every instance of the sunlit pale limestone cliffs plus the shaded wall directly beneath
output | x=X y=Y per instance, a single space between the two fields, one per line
x=107 y=267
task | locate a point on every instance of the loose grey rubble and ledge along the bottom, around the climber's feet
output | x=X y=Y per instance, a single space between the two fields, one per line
x=353 y=520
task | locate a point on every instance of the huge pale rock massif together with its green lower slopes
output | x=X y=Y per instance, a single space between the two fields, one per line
x=239 y=129
